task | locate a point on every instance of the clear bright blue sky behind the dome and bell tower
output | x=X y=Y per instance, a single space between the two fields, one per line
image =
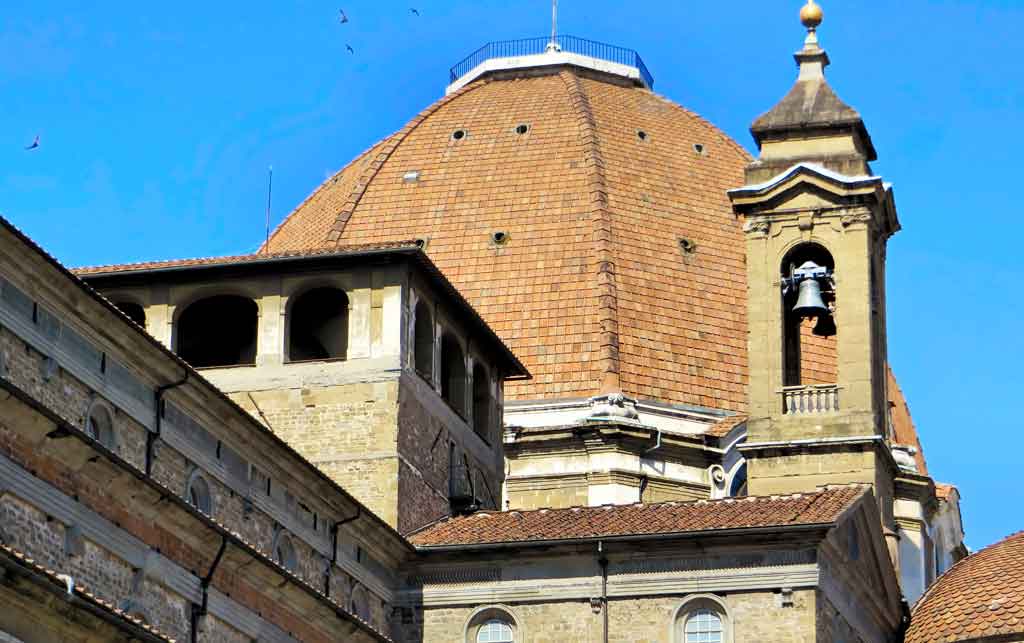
x=158 y=122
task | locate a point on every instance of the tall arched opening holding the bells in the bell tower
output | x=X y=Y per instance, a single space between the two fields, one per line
x=809 y=329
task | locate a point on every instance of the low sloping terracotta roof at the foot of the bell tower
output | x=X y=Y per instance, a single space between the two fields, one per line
x=822 y=507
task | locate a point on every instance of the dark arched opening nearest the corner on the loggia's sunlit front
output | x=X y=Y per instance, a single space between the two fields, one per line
x=319 y=326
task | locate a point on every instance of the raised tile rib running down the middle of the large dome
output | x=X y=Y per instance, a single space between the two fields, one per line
x=608 y=293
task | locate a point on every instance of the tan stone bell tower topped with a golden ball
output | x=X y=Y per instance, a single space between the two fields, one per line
x=817 y=223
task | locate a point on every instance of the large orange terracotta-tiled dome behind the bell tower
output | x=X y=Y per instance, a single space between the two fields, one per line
x=599 y=186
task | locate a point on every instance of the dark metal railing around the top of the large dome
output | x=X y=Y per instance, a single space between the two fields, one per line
x=570 y=45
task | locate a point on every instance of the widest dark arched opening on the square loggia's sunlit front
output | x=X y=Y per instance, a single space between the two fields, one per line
x=219 y=331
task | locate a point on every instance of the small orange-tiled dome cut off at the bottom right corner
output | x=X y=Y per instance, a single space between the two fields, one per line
x=980 y=596
